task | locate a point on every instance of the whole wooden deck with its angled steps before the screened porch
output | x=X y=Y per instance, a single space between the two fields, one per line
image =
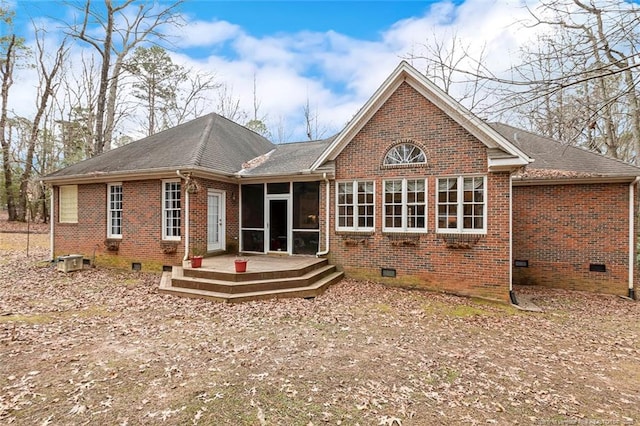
x=266 y=277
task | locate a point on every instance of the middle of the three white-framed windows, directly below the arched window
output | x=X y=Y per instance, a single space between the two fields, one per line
x=405 y=205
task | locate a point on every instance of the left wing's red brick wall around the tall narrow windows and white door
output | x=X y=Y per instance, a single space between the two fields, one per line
x=142 y=224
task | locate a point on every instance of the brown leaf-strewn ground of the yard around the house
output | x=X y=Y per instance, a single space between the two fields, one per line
x=103 y=347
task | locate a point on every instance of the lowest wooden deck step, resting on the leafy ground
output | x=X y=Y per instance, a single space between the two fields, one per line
x=312 y=290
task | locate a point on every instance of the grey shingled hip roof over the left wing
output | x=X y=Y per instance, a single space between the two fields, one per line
x=210 y=143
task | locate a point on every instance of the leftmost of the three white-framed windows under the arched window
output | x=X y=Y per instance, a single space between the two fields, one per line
x=355 y=205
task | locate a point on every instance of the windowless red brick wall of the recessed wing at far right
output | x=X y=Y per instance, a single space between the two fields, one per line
x=562 y=229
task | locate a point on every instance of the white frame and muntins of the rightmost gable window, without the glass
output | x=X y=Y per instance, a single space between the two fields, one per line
x=460 y=203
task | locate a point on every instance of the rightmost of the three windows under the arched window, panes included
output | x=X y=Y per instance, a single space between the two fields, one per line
x=462 y=204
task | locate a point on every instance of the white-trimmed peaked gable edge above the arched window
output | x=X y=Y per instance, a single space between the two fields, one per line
x=502 y=154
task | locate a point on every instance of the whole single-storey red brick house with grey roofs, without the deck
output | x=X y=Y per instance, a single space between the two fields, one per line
x=415 y=191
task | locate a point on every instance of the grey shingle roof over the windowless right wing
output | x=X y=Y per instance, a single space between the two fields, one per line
x=554 y=159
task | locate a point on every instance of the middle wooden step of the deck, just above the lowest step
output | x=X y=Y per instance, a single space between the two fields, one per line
x=178 y=279
